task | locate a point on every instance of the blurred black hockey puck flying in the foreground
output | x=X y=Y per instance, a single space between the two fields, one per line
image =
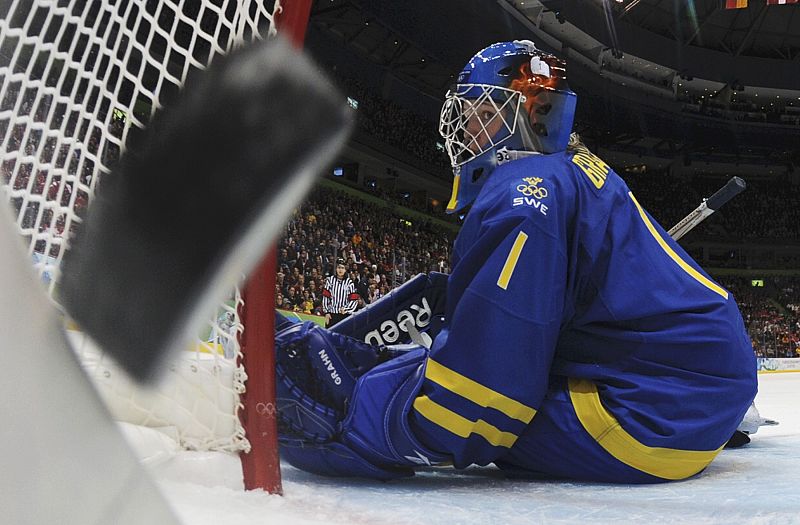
x=195 y=203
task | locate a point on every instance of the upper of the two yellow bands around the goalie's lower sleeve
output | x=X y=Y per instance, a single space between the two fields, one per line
x=477 y=393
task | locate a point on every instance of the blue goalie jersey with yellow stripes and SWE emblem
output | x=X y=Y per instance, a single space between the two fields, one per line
x=581 y=340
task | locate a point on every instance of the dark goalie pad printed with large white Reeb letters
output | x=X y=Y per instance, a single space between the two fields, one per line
x=420 y=301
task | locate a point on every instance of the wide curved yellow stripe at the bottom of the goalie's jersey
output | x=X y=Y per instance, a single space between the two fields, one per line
x=666 y=463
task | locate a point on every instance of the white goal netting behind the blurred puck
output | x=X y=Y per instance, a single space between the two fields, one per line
x=77 y=77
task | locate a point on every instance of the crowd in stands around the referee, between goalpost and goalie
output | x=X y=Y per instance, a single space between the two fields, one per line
x=381 y=249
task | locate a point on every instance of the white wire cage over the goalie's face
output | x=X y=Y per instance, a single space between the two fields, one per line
x=476 y=118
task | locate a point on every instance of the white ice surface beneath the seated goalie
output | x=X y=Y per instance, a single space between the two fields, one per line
x=757 y=484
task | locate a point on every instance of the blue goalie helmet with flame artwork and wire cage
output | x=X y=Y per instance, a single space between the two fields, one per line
x=510 y=97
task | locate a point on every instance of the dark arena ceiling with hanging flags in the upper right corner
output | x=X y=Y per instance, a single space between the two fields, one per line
x=756 y=46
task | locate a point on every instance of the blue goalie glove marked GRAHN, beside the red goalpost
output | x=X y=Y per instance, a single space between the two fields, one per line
x=343 y=405
